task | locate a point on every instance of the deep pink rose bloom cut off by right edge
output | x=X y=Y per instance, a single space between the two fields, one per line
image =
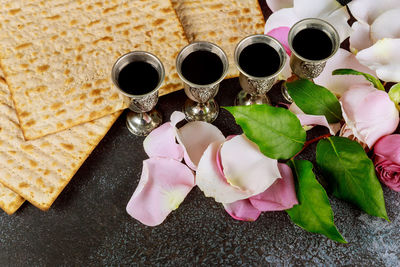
x=387 y=161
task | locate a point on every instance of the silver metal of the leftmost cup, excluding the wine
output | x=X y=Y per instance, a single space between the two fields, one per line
x=142 y=118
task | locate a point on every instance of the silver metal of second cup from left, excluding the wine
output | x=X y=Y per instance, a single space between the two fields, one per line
x=201 y=105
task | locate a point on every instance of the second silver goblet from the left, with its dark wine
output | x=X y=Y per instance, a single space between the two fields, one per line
x=197 y=65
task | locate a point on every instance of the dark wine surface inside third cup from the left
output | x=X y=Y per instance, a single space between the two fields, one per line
x=259 y=60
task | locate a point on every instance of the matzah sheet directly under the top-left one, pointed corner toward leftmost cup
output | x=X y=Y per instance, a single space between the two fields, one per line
x=38 y=170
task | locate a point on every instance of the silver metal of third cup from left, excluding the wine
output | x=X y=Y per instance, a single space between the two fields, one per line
x=255 y=88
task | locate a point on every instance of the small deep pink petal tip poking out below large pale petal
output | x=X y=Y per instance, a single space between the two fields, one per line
x=242 y=210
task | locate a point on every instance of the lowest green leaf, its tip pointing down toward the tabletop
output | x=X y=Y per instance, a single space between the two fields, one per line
x=314 y=212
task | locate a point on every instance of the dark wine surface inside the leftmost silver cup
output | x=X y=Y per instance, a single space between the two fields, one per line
x=138 y=78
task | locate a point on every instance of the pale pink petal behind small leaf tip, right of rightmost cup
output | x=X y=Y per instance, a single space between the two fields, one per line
x=338 y=84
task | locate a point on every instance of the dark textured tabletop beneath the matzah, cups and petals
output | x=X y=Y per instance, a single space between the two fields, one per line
x=88 y=225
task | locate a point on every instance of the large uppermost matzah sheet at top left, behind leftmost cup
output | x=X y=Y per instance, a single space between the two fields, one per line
x=57 y=55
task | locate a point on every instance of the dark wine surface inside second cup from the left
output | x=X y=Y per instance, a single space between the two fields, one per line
x=202 y=67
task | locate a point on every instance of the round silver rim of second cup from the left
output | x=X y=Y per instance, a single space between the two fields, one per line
x=224 y=72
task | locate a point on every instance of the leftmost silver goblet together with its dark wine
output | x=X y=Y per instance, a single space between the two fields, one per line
x=142 y=117
